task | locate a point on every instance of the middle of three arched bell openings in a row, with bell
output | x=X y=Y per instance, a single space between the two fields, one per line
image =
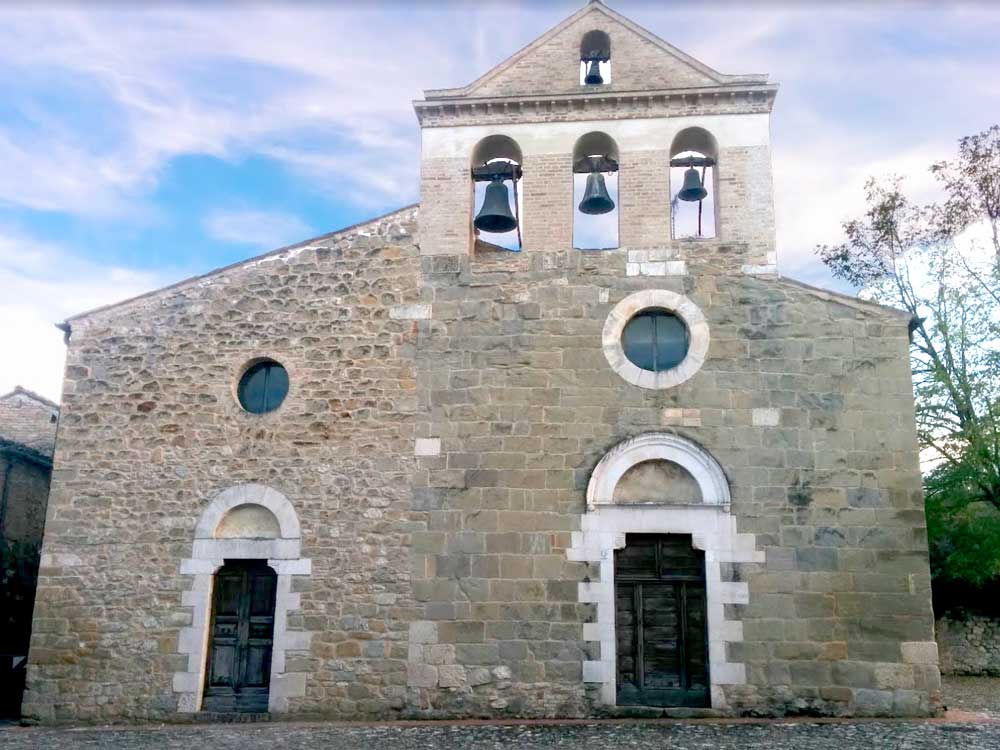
x=595 y=192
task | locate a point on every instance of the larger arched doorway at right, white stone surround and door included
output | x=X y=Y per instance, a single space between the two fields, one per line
x=658 y=517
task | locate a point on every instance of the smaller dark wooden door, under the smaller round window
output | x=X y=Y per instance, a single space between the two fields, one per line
x=242 y=632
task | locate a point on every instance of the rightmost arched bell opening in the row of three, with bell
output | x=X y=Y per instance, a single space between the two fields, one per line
x=694 y=157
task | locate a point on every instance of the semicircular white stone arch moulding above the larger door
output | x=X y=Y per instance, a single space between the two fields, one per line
x=666 y=446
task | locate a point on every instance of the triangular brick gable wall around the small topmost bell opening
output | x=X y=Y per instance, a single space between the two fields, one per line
x=554 y=67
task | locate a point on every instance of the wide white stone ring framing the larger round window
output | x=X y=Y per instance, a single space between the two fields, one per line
x=679 y=305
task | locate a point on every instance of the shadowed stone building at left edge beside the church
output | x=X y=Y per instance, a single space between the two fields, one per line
x=27 y=437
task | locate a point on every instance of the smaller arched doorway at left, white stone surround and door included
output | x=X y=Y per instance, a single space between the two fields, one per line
x=247 y=548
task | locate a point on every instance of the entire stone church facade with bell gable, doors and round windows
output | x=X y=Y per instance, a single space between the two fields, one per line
x=462 y=497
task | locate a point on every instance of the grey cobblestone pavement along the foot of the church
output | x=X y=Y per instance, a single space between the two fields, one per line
x=682 y=736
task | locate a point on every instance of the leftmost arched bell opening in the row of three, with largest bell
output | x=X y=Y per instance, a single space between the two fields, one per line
x=498 y=205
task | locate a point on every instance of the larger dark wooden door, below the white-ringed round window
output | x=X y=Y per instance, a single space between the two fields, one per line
x=660 y=622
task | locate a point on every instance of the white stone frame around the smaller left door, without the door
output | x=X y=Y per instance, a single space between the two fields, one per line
x=209 y=552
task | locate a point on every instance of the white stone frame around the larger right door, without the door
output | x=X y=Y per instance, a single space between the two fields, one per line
x=712 y=528
